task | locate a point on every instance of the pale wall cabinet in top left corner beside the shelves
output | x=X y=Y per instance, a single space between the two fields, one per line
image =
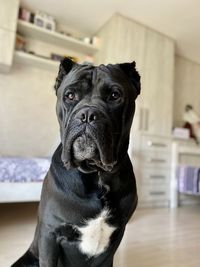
x=8 y=22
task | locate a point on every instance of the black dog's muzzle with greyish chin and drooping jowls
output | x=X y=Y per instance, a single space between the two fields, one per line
x=89 y=140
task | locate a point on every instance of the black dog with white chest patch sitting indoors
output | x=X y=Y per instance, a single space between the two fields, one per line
x=89 y=193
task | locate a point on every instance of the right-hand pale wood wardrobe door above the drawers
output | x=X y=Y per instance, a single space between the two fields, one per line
x=157 y=84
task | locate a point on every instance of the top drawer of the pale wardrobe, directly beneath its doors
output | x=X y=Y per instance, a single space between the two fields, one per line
x=153 y=143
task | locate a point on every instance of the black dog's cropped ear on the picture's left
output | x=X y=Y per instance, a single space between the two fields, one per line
x=65 y=67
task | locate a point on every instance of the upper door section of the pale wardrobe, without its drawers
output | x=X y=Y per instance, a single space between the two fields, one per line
x=123 y=40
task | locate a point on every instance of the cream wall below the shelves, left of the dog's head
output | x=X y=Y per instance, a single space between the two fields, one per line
x=28 y=124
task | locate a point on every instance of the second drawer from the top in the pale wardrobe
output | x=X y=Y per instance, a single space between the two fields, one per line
x=156 y=159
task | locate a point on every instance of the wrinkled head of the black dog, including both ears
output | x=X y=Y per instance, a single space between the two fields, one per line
x=95 y=107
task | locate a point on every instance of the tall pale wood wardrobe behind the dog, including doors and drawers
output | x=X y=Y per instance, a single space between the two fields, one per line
x=123 y=40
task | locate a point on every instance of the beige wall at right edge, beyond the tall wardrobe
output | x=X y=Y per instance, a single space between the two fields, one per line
x=186 y=87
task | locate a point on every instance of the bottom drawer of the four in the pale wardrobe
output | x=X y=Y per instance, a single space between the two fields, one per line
x=153 y=193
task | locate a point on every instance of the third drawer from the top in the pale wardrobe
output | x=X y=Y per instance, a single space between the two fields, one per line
x=154 y=177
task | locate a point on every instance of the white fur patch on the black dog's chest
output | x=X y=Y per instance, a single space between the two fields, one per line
x=96 y=235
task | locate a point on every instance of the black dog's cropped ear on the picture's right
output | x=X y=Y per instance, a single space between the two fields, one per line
x=130 y=70
